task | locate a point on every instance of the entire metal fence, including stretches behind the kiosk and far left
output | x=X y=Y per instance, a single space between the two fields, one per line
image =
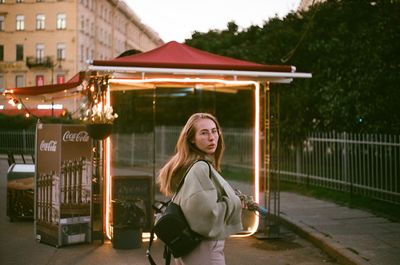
x=356 y=163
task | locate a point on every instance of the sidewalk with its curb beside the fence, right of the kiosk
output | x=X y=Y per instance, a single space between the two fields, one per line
x=352 y=236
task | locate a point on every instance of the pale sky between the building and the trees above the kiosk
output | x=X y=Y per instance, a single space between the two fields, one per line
x=178 y=19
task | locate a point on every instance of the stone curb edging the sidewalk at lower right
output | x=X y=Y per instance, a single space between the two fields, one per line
x=342 y=254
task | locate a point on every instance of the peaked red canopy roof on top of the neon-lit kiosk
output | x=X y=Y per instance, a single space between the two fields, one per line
x=177 y=55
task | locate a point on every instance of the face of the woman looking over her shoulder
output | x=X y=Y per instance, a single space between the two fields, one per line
x=206 y=136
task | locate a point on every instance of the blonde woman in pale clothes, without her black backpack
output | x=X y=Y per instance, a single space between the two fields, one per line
x=208 y=202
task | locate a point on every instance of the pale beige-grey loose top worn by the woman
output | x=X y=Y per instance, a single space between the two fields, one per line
x=209 y=203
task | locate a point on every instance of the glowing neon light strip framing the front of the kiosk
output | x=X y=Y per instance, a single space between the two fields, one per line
x=190 y=80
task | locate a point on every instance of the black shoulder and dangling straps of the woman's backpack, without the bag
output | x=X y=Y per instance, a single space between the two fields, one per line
x=167 y=253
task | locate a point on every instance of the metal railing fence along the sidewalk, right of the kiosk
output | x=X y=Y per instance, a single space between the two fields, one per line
x=356 y=163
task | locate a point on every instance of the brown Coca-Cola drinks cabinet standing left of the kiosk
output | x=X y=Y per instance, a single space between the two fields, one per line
x=63 y=184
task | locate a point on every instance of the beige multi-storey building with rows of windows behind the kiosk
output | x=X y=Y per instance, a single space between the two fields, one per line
x=48 y=41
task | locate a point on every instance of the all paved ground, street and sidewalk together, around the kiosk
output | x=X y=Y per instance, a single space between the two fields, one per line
x=349 y=236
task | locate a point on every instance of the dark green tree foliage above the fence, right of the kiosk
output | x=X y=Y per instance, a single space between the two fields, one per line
x=351 y=49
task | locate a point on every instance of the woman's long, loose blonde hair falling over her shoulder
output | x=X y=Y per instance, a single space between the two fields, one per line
x=187 y=153
